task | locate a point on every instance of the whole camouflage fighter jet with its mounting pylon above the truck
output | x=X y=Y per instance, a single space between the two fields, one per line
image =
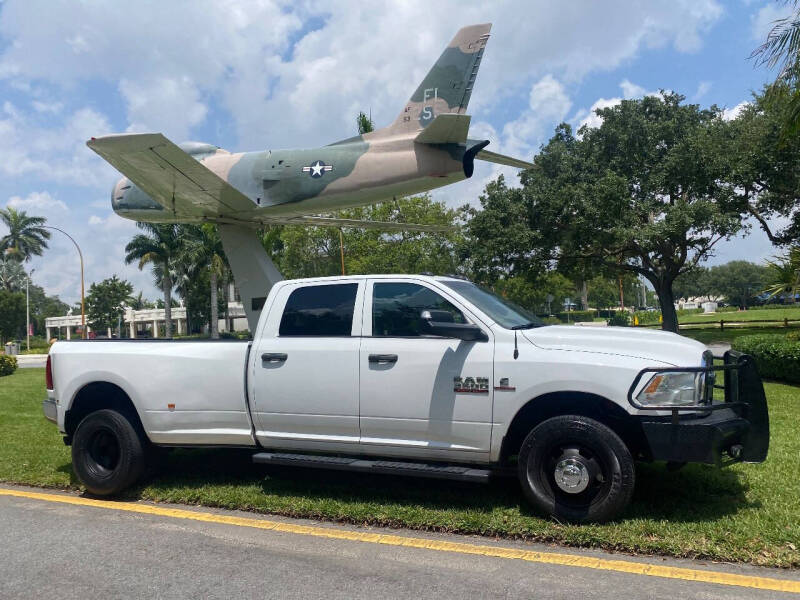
x=426 y=147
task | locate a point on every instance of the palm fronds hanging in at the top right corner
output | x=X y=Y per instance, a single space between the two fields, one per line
x=782 y=49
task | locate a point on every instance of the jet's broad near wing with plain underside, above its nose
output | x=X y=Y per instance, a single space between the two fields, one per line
x=170 y=176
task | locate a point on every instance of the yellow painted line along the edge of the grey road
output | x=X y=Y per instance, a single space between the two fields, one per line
x=553 y=558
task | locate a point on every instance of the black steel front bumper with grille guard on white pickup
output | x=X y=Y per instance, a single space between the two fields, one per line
x=719 y=433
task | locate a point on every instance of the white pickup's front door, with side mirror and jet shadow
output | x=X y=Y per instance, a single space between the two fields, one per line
x=431 y=396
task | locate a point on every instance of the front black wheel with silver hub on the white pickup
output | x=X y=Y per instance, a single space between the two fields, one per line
x=593 y=462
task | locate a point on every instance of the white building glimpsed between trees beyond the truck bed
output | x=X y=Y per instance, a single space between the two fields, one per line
x=149 y=322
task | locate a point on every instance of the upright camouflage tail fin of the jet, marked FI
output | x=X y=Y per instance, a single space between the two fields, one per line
x=448 y=85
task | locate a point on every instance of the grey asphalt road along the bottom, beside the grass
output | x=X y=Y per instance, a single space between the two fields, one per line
x=53 y=549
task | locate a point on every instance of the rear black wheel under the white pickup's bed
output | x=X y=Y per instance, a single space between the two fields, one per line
x=107 y=453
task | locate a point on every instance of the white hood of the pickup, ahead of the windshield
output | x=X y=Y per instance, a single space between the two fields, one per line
x=662 y=346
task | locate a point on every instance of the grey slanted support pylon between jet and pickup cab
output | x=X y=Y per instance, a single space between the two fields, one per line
x=253 y=270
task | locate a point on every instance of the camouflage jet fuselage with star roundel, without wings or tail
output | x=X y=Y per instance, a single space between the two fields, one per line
x=284 y=183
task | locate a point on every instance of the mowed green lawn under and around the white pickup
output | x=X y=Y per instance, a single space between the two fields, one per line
x=748 y=513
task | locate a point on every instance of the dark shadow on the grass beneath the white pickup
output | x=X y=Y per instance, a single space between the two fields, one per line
x=693 y=494
